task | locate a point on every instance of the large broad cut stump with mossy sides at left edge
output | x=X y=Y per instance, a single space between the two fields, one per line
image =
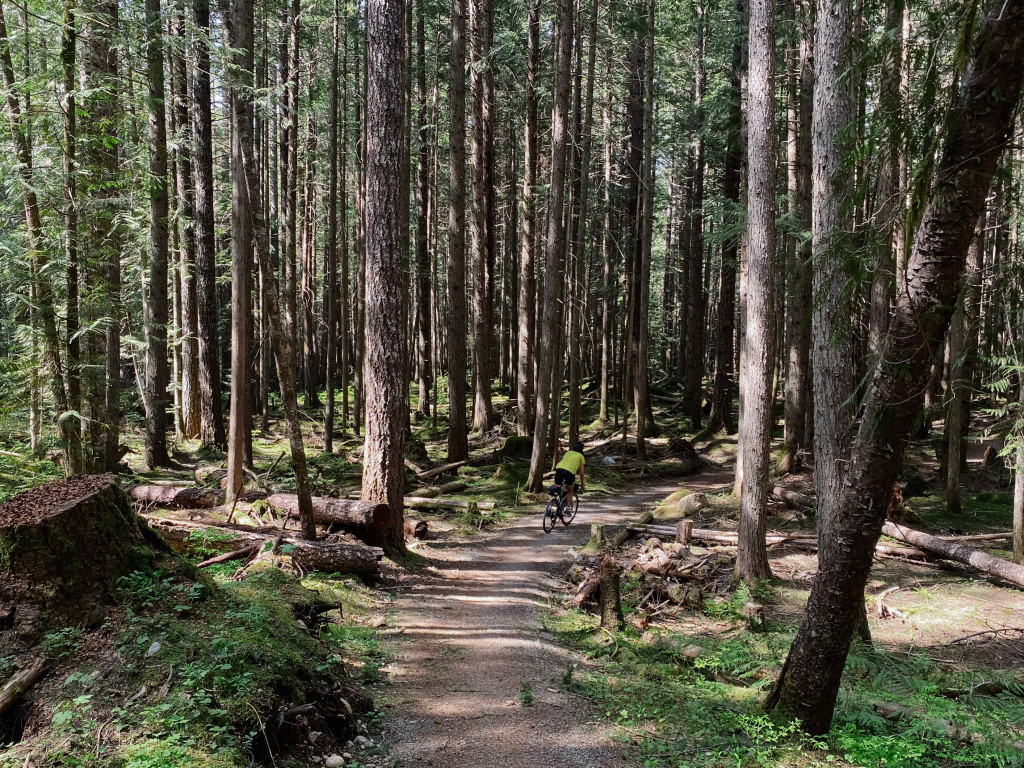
x=64 y=546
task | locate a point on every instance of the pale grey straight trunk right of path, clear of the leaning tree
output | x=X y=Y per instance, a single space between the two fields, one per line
x=759 y=333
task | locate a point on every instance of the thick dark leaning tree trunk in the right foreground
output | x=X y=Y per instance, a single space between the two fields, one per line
x=980 y=122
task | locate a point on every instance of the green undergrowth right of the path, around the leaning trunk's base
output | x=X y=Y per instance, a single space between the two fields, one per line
x=696 y=701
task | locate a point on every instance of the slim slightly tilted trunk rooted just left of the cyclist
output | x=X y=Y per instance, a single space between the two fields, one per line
x=556 y=241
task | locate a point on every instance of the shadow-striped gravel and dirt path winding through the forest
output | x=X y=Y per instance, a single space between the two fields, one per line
x=468 y=639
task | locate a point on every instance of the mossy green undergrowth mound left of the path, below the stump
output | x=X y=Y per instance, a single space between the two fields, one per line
x=190 y=671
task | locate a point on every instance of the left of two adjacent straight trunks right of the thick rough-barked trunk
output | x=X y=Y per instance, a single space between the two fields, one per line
x=458 y=448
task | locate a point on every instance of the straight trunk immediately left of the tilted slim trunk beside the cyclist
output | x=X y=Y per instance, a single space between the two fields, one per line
x=528 y=270
